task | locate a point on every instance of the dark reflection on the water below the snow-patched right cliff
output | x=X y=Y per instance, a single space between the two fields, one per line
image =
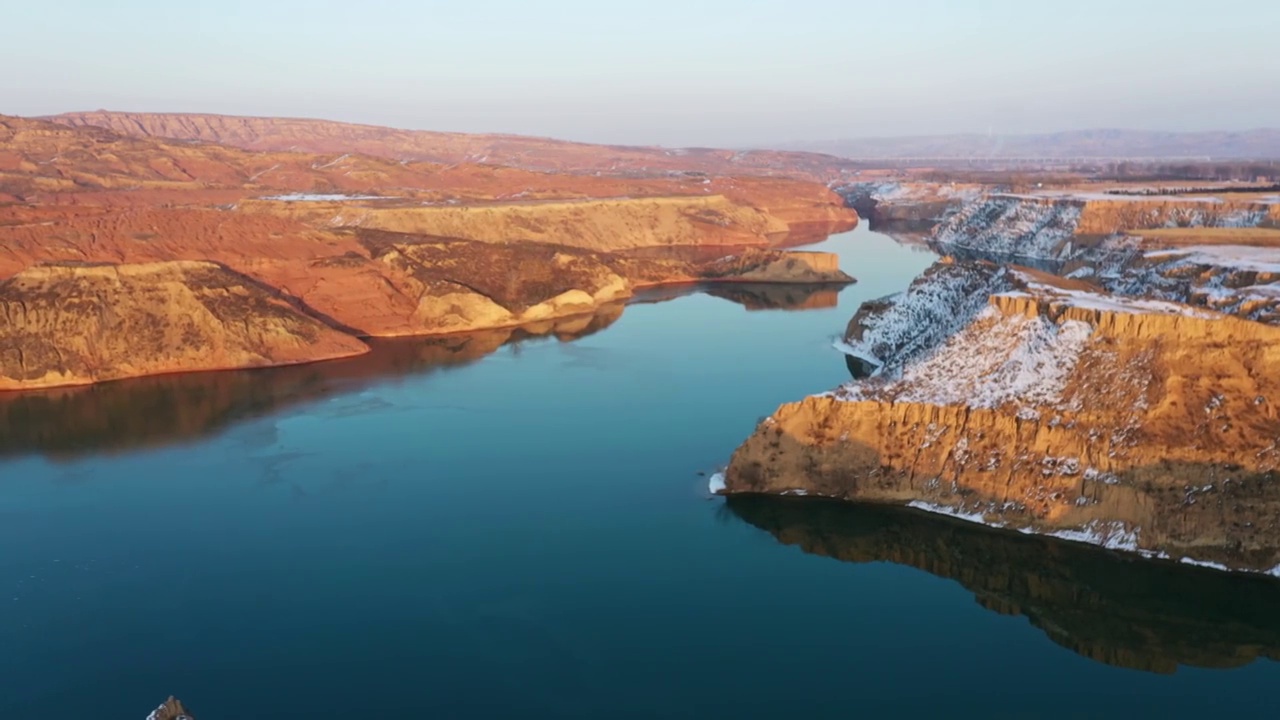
x=1114 y=609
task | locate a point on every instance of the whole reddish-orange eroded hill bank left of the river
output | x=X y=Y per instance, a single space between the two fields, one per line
x=143 y=248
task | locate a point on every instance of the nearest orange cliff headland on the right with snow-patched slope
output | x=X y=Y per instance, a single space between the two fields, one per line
x=1135 y=425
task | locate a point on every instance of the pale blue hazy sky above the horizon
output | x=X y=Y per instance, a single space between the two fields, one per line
x=666 y=72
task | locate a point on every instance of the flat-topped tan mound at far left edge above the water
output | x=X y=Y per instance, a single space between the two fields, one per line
x=76 y=325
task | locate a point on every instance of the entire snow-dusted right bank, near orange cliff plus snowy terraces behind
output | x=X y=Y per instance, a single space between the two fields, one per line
x=1130 y=405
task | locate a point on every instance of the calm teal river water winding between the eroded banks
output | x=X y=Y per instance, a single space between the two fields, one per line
x=529 y=535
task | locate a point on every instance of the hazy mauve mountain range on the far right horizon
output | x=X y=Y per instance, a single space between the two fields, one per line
x=1119 y=144
